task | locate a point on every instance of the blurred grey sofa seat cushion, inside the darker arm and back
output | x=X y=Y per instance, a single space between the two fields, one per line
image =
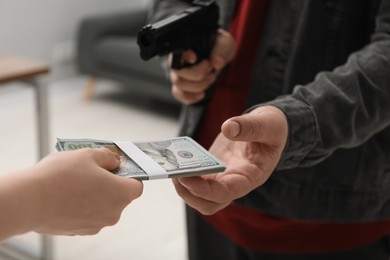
x=122 y=52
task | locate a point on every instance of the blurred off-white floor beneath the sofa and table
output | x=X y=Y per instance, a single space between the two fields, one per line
x=153 y=226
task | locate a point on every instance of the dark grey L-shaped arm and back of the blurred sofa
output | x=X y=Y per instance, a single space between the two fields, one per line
x=93 y=28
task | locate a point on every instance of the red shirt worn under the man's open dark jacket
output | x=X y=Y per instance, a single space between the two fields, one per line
x=247 y=227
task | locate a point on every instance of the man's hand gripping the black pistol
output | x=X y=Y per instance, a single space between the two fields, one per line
x=189 y=84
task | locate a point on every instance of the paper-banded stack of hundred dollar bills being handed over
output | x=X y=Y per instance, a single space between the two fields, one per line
x=177 y=157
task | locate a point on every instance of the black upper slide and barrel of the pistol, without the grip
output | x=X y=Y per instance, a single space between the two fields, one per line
x=177 y=31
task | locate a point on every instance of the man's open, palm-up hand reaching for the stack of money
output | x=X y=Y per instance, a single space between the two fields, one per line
x=251 y=146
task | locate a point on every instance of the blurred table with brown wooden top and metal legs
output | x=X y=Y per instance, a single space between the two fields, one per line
x=32 y=73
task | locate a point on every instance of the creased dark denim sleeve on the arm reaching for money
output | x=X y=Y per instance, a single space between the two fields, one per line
x=343 y=108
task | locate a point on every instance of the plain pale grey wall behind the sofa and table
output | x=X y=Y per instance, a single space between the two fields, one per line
x=36 y=28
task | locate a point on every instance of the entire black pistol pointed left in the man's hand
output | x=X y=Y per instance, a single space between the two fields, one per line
x=193 y=29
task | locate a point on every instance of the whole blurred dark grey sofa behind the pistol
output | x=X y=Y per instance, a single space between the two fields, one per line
x=107 y=48
